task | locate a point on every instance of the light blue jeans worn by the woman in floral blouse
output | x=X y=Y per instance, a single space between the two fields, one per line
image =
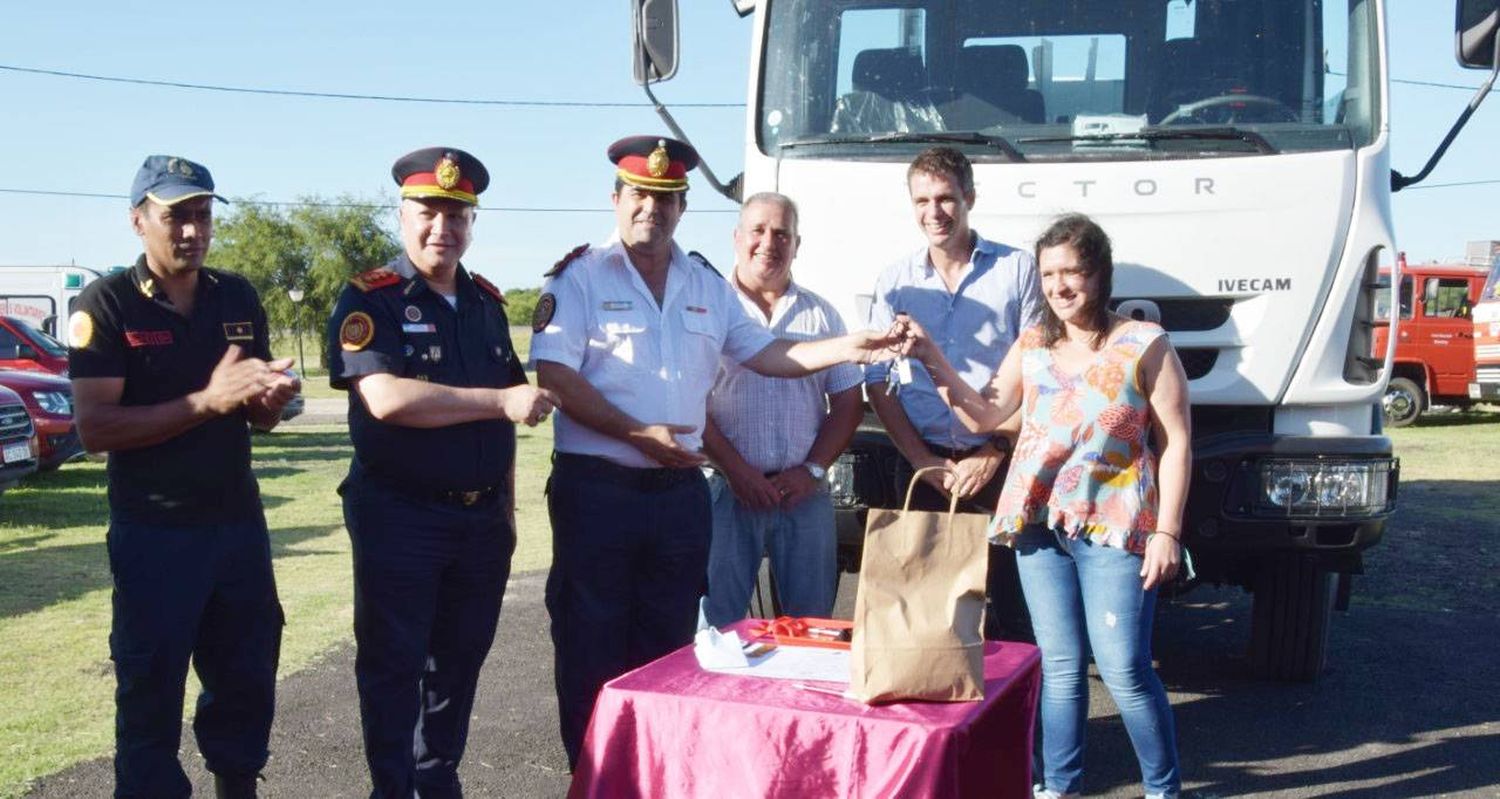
x=1087 y=596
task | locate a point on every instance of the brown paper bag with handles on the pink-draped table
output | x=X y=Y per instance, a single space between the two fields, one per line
x=920 y=608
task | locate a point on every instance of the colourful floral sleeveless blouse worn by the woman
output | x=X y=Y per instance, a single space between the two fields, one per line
x=1082 y=462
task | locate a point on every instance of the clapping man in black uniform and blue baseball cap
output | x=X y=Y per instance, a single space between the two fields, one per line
x=172 y=365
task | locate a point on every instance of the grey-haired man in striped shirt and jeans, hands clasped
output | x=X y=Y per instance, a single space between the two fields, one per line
x=773 y=440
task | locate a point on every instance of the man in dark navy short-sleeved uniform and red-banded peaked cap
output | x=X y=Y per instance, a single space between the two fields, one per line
x=436 y=391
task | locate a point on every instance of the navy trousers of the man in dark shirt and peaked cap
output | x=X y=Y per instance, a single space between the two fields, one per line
x=428 y=584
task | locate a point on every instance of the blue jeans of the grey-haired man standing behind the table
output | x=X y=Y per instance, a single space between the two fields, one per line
x=803 y=555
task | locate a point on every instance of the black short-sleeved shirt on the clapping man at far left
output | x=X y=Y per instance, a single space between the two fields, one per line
x=202 y=476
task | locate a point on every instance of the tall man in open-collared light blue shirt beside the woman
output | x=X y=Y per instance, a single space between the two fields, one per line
x=974 y=298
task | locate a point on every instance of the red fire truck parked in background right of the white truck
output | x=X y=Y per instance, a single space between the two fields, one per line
x=1435 y=356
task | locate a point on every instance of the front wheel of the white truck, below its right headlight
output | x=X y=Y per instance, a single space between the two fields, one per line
x=1294 y=605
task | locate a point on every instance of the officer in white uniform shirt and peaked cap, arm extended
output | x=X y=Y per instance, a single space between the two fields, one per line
x=629 y=337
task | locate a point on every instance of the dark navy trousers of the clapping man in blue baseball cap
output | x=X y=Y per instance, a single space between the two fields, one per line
x=200 y=594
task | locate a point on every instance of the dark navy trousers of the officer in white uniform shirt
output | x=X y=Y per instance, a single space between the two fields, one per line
x=629 y=564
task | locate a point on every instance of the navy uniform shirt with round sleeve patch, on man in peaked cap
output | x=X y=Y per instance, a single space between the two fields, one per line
x=415 y=334
